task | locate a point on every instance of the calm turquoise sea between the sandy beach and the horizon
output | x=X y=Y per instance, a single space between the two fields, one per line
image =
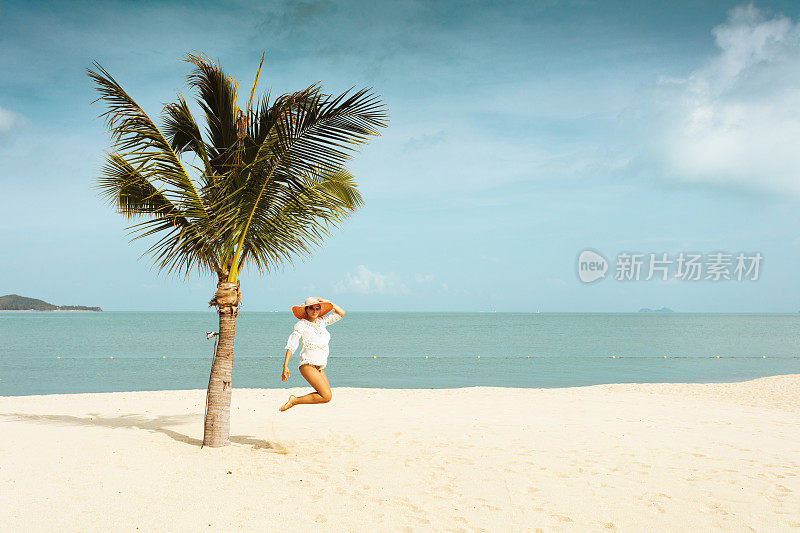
x=169 y=350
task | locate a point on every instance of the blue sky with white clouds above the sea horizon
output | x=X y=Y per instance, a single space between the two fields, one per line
x=521 y=133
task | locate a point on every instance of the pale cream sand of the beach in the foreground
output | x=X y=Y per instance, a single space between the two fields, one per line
x=626 y=457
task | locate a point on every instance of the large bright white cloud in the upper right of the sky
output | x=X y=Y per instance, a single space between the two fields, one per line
x=736 y=119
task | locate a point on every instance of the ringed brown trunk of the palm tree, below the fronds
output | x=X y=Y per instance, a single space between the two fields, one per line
x=218 y=410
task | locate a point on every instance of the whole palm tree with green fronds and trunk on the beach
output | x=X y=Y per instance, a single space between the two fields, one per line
x=264 y=184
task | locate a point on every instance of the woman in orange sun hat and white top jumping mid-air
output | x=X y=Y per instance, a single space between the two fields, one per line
x=314 y=355
